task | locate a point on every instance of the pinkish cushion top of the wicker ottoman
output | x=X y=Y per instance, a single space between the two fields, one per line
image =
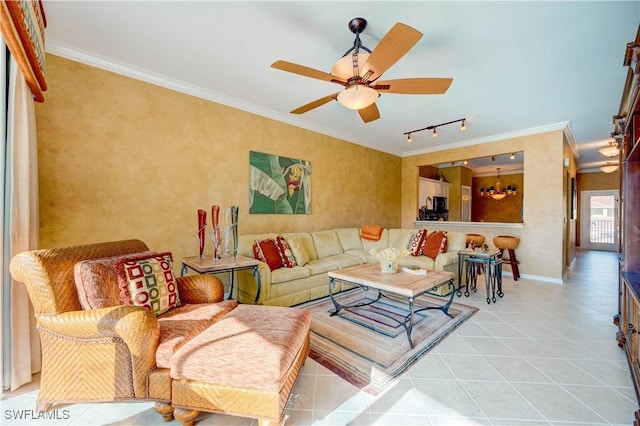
x=251 y=347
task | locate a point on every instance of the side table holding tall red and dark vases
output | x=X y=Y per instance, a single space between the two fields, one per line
x=229 y=264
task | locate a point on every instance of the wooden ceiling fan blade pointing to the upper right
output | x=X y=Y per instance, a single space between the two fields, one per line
x=393 y=46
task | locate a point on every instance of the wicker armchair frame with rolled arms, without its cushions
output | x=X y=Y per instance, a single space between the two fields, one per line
x=103 y=354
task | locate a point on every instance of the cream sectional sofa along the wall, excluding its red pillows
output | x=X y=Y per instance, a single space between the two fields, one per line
x=318 y=252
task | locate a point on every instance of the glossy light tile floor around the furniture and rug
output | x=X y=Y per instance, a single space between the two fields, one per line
x=545 y=354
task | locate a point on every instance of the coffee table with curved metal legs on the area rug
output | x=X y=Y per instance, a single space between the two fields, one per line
x=404 y=284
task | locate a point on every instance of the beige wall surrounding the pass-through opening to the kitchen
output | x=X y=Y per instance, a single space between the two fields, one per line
x=541 y=250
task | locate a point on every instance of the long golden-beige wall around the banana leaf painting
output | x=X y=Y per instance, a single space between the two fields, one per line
x=120 y=158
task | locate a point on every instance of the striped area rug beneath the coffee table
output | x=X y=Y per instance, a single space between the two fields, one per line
x=365 y=347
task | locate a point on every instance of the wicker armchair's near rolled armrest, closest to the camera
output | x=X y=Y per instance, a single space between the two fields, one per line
x=135 y=325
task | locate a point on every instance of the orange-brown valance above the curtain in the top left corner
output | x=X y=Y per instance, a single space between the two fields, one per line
x=22 y=25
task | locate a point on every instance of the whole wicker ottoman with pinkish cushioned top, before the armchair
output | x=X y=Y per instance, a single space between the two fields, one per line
x=244 y=365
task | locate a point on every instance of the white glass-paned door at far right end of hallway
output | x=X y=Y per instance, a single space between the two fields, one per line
x=599 y=220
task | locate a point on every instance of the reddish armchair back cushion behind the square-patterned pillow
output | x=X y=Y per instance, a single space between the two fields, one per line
x=97 y=282
